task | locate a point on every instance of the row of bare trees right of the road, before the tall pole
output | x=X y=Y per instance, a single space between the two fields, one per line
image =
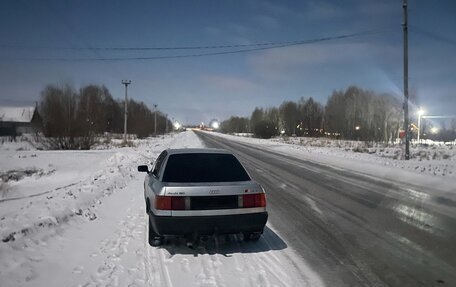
x=353 y=113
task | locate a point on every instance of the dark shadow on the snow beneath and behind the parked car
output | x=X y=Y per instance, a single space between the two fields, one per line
x=225 y=245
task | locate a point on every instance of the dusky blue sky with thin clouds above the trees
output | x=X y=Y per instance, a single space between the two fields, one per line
x=33 y=34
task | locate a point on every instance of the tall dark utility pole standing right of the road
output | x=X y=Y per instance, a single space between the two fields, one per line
x=406 y=116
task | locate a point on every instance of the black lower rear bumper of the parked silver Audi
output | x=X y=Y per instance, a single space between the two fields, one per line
x=208 y=225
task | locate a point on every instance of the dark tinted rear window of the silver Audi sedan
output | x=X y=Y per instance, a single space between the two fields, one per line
x=204 y=167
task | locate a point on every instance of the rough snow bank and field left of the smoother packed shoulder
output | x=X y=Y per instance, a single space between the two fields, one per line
x=54 y=186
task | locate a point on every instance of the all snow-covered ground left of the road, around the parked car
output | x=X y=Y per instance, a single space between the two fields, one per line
x=76 y=218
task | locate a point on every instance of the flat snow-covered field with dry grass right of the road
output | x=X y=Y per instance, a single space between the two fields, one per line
x=433 y=166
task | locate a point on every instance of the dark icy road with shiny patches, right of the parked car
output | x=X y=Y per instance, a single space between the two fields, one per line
x=356 y=223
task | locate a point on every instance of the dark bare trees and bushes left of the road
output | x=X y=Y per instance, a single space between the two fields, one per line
x=72 y=118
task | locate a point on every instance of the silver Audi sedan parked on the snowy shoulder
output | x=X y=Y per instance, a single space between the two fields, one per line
x=199 y=192
